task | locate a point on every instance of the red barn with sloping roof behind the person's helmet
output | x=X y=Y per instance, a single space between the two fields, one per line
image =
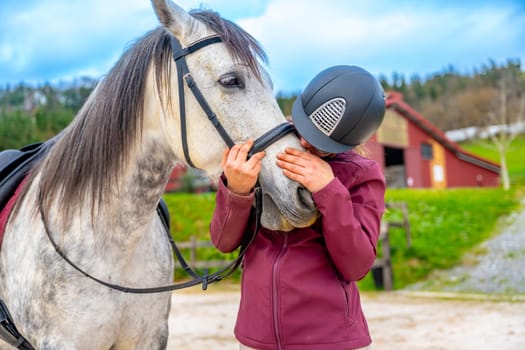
x=415 y=153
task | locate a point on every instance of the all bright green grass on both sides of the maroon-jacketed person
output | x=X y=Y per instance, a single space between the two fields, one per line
x=444 y=223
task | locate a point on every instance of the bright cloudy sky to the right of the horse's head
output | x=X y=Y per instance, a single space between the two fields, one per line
x=384 y=37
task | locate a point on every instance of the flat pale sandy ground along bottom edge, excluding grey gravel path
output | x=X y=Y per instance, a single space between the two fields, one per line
x=397 y=320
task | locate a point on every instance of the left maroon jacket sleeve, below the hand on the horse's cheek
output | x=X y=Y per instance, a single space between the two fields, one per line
x=230 y=218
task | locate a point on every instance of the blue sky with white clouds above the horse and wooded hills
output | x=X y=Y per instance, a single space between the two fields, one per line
x=60 y=40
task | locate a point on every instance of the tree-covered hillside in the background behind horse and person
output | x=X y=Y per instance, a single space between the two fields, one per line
x=491 y=94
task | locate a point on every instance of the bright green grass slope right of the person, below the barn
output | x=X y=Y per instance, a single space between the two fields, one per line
x=444 y=225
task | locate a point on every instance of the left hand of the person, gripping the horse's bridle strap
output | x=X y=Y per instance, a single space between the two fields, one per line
x=241 y=173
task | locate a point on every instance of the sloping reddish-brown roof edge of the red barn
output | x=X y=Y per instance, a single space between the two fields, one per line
x=394 y=101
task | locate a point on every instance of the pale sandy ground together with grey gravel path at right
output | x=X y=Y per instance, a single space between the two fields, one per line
x=408 y=320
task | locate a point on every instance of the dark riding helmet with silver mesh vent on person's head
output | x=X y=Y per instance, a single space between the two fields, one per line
x=339 y=109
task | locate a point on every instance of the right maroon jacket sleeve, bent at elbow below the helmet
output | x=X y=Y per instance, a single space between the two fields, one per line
x=351 y=219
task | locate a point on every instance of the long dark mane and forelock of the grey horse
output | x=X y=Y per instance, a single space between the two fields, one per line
x=88 y=155
